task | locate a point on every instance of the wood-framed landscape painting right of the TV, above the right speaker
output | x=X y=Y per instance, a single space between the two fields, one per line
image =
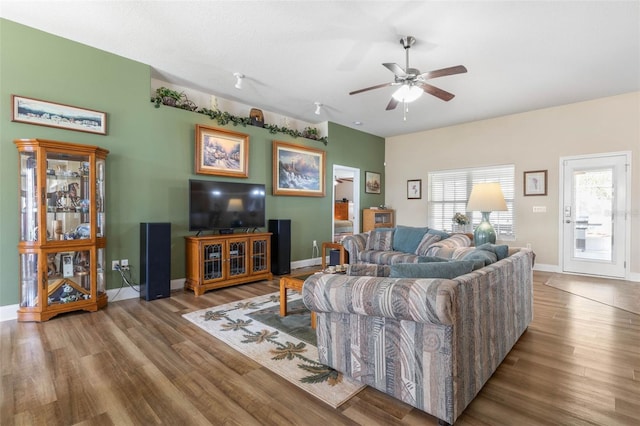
x=298 y=170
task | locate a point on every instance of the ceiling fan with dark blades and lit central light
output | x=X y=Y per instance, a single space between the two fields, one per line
x=412 y=82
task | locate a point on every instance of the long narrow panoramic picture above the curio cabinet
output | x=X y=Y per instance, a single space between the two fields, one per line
x=52 y=114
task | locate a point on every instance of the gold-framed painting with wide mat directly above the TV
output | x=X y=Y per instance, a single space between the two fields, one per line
x=221 y=152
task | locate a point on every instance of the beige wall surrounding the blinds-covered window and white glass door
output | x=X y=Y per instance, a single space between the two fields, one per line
x=533 y=140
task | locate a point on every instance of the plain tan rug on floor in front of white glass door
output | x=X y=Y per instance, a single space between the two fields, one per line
x=620 y=294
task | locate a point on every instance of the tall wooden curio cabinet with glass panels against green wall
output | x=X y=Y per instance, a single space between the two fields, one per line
x=62 y=228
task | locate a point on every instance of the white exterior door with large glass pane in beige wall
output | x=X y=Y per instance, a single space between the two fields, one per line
x=594 y=206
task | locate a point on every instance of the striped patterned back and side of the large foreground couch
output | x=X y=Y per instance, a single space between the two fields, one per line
x=432 y=343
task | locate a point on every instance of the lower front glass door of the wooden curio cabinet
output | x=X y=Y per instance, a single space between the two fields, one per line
x=68 y=276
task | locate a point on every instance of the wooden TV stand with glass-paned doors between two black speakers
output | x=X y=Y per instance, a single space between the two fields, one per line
x=215 y=261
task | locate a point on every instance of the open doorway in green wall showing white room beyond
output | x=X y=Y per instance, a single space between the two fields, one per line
x=345 y=209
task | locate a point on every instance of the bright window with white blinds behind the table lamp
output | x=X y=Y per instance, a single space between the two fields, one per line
x=449 y=191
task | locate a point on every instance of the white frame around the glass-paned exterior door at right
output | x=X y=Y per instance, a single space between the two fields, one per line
x=561 y=196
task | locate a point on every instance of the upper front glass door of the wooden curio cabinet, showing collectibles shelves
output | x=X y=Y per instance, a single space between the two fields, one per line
x=68 y=197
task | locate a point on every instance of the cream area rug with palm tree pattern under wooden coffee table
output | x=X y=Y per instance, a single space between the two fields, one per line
x=284 y=345
